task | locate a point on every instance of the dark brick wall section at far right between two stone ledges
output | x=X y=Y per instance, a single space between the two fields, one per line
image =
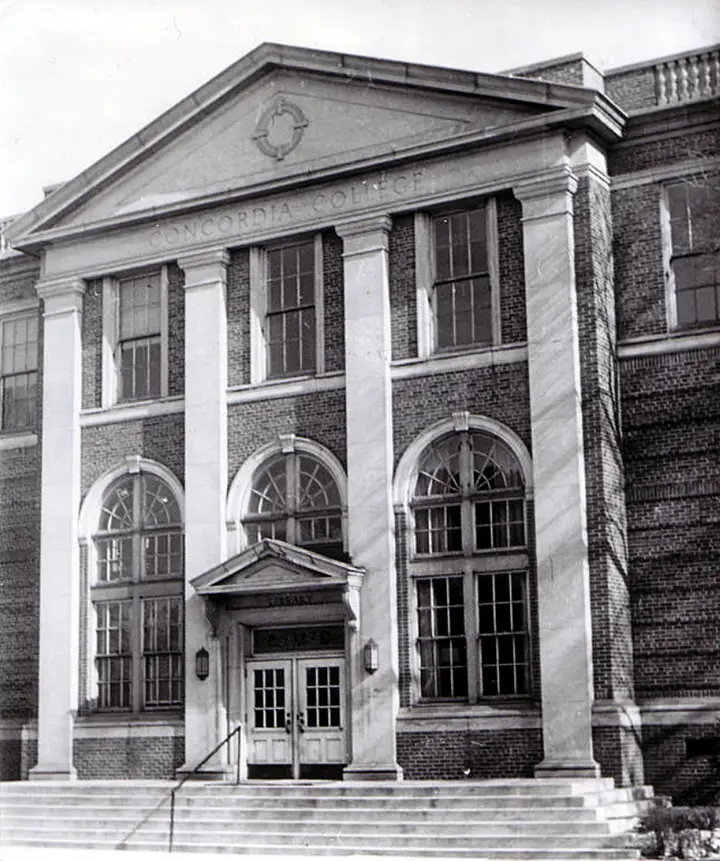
x=671 y=419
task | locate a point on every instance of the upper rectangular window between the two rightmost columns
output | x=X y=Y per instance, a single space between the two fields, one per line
x=461 y=280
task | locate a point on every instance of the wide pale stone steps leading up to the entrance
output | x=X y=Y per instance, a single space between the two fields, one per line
x=518 y=819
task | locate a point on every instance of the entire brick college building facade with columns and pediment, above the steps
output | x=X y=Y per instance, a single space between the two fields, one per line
x=372 y=408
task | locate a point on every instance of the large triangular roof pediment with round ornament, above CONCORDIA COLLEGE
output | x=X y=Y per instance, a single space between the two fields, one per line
x=288 y=114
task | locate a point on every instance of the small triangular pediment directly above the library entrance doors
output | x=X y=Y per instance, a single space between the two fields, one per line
x=275 y=566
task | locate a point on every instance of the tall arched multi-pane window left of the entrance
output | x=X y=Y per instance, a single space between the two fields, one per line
x=137 y=595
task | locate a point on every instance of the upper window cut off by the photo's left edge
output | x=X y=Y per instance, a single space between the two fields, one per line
x=18 y=372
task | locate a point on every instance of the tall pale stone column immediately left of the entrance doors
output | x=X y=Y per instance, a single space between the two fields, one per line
x=205 y=490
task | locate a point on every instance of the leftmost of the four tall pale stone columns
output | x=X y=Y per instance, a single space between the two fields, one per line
x=60 y=505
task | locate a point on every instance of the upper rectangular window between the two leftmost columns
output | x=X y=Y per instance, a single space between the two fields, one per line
x=139 y=346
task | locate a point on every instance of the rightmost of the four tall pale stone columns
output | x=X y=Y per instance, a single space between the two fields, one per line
x=559 y=477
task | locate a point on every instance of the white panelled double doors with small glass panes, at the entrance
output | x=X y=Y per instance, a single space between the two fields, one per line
x=296 y=717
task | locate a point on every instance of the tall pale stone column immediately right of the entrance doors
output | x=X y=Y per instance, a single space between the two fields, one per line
x=370 y=512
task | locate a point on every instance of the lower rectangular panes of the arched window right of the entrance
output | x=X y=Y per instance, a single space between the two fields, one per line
x=469 y=649
